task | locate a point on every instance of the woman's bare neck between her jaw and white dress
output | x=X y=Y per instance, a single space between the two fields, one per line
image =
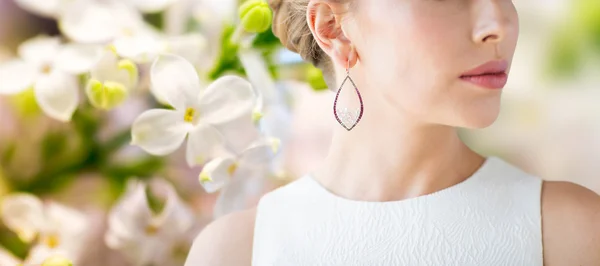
x=387 y=158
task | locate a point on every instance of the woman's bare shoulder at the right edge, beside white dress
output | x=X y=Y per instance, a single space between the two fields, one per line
x=571 y=224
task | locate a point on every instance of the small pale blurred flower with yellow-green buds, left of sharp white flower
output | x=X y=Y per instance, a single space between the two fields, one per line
x=110 y=81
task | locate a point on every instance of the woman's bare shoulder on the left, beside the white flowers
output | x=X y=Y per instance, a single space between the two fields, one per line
x=229 y=235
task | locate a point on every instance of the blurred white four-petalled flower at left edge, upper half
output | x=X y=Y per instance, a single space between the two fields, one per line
x=50 y=68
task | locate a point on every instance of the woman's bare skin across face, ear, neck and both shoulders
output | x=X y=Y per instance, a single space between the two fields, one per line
x=408 y=75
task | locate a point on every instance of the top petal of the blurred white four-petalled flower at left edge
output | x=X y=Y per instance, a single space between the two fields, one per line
x=40 y=50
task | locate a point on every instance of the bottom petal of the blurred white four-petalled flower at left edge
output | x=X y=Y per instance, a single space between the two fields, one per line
x=58 y=95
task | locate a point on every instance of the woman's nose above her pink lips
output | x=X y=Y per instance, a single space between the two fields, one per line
x=490 y=22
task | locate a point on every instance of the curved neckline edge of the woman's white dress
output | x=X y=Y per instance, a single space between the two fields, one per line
x=456 y=188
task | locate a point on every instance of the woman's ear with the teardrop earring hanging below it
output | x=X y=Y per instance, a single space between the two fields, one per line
x=325 y=22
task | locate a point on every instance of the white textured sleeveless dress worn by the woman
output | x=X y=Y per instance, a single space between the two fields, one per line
x=491 y=218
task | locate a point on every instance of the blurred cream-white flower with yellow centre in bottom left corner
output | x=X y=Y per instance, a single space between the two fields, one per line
x=56 y=229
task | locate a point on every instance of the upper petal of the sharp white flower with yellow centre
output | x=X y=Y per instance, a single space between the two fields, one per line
x=175 y=81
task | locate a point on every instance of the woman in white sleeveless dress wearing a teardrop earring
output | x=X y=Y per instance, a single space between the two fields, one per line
x=398 y=186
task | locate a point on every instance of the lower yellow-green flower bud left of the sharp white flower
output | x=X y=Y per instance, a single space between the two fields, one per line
x=106 y=95
